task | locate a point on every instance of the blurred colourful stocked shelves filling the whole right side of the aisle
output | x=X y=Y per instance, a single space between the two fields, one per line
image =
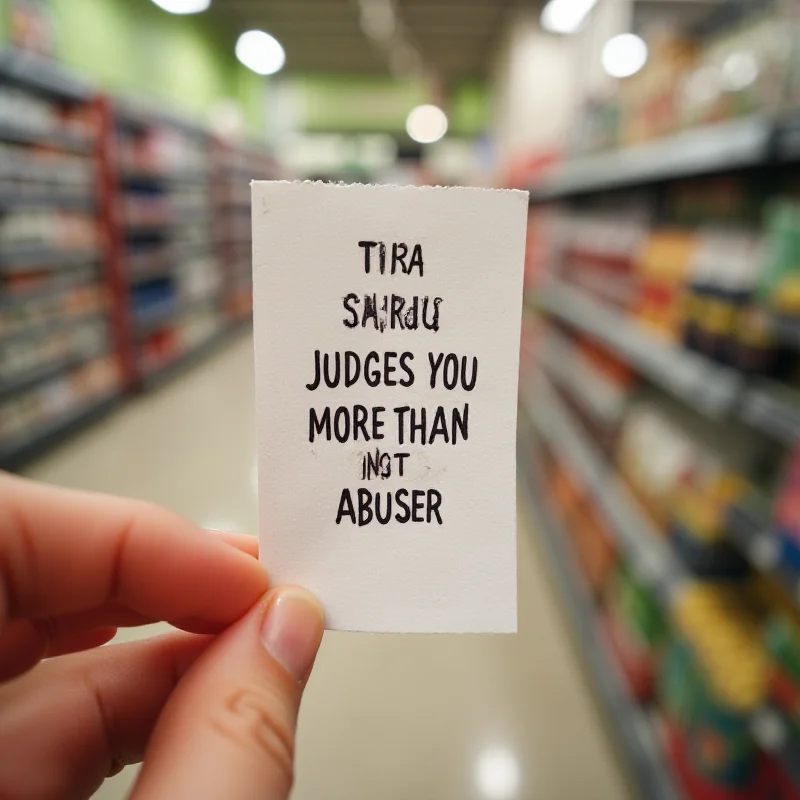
x=676 y=256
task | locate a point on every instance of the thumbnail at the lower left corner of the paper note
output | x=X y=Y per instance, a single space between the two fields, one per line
x=292 y=629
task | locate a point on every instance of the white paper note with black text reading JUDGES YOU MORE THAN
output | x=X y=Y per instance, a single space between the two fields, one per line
x=386 y=343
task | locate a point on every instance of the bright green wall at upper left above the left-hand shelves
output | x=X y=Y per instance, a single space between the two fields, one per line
x=133 y=47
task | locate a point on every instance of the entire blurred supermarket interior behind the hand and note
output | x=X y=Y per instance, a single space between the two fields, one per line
x=659 y=420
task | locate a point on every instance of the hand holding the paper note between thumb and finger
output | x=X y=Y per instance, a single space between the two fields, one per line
x=212 y=713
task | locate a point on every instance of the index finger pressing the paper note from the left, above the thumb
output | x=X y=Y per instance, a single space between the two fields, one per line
x=64 y=551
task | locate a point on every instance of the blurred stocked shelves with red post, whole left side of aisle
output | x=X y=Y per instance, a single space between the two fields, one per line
x=121 y=253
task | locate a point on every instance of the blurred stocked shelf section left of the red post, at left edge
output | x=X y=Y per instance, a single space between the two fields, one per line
x=58 y=368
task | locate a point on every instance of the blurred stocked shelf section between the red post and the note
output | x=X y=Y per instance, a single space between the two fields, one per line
x=166 y=253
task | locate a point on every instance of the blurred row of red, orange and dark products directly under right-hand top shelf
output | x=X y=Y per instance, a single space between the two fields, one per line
x=701 y=303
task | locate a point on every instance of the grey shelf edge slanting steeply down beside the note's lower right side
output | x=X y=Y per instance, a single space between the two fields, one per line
x=649 y=554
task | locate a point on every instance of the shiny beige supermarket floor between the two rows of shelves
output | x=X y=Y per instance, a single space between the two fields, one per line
x=393 y=717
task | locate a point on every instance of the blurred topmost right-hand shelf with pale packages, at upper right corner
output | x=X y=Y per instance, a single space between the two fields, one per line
x=718 y=96
